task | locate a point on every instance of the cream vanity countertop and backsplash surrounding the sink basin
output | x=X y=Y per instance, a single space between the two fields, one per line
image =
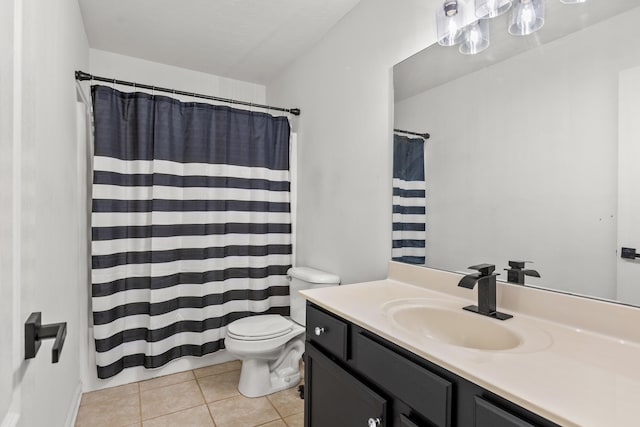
x=570 y=375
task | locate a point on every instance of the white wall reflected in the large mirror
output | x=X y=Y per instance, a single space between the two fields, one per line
x=522 y=160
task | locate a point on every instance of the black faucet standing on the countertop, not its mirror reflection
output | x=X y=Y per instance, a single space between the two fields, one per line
x=486 y=280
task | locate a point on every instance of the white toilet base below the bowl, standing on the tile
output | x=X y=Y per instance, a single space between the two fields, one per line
x=260 y=377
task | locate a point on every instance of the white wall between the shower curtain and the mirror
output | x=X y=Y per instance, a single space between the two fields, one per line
x=344 y=88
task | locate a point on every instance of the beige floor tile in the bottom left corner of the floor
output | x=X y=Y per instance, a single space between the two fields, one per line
x=115 y=411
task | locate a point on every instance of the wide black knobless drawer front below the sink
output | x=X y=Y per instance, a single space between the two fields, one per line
x=424 y=391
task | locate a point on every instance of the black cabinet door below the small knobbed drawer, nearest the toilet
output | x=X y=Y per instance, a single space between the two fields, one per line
x=334 y=398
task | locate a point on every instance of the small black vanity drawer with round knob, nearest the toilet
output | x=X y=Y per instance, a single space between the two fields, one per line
x=328 y=332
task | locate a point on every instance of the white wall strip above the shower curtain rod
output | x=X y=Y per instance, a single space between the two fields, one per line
x=112 y=65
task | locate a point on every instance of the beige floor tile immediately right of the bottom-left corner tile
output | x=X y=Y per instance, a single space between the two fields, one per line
x=173 y=398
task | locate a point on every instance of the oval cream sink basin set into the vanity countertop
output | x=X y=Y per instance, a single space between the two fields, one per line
x=450 y=324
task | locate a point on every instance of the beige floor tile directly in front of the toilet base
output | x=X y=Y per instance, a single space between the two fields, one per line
x=242 y=411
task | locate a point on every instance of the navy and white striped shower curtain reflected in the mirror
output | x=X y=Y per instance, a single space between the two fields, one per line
x=408 y=200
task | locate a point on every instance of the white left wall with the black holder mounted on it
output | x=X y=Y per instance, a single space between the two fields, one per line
x=53 y=45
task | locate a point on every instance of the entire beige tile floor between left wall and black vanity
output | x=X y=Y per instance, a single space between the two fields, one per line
x=206 y=397
